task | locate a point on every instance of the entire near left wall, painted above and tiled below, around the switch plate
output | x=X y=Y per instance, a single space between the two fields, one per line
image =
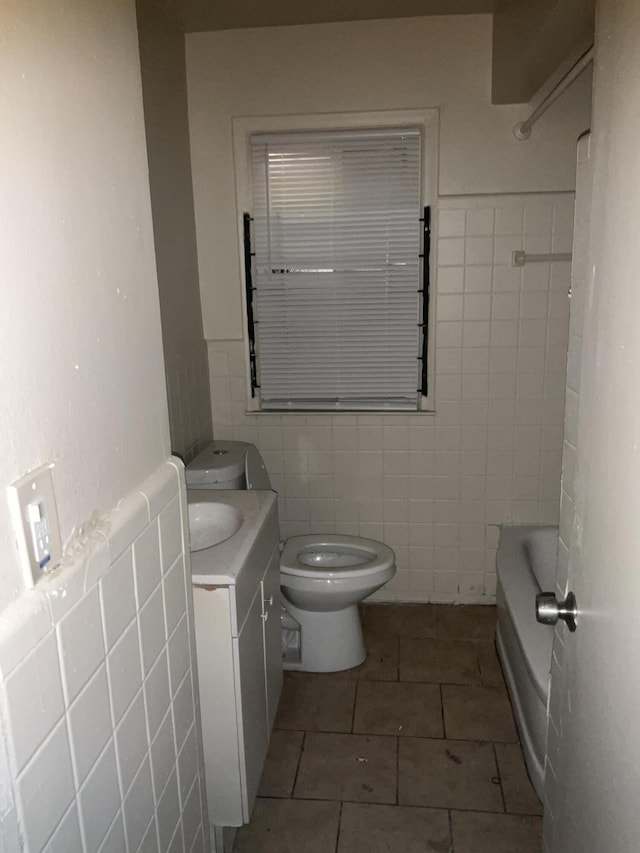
x=82 y=385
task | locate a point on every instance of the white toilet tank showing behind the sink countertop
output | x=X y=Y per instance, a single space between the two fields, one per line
x=228 y=465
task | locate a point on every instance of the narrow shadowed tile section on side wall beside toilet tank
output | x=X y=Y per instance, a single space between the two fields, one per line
x=188 y=399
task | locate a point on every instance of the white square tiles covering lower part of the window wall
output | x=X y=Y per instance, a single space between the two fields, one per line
x=434 y=486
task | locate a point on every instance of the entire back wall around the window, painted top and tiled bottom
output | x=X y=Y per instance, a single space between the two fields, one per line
x=433 y=487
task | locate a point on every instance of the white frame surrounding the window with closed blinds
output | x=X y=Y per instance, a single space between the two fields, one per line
x=246 y=126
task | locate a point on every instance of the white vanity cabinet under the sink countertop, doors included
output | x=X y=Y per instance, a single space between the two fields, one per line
x=237 y=626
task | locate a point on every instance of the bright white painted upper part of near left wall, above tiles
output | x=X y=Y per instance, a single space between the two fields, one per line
x=82 y=382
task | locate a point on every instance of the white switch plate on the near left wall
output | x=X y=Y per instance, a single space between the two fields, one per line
x=35 y=517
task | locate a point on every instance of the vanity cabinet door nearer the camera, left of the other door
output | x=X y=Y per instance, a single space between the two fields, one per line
x=250 y=684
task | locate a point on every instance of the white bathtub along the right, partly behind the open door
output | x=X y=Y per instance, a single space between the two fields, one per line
x=526 y=565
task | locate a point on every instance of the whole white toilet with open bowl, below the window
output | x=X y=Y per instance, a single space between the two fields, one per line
x=323 y=577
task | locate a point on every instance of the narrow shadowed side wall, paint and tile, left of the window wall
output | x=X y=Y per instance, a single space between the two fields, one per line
x=164 y=89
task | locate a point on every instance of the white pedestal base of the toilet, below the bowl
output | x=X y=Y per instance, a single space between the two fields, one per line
x=330 y=641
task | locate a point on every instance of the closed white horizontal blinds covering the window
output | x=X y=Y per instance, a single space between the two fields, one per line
x=337 y=269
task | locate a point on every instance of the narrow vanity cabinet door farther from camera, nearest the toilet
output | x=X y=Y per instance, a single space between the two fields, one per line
x=272 y=637
